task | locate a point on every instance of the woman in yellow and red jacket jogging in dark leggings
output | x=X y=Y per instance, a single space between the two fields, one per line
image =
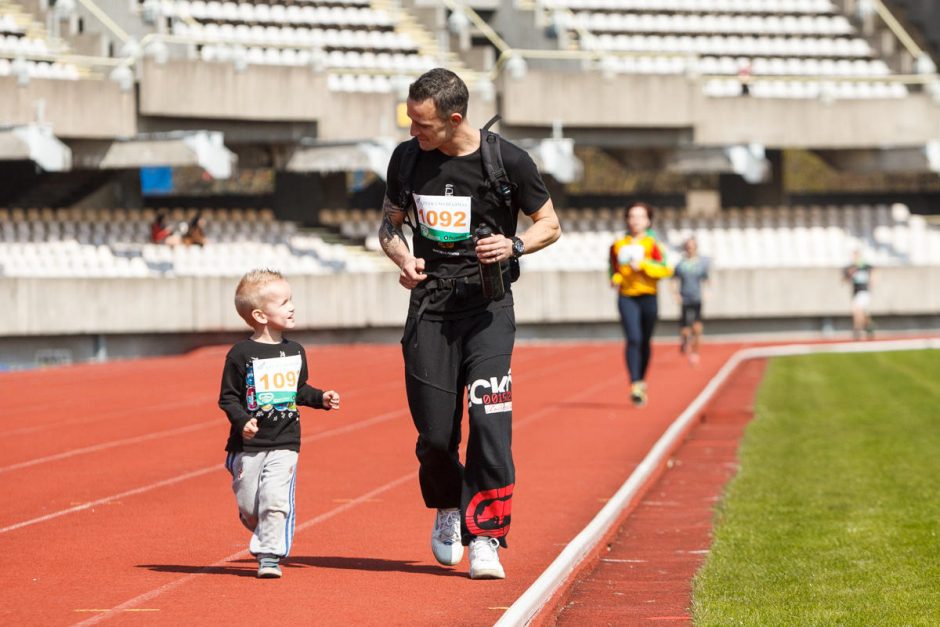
x=637 y=263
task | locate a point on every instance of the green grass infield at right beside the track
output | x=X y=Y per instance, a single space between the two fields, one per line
x=834 y=517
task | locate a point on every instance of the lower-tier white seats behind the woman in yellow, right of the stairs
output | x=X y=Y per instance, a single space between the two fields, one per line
x=779 y=237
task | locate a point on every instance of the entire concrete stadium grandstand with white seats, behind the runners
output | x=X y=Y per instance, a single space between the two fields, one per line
x=311 y=93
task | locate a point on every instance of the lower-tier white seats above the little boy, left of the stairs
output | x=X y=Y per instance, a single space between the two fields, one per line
x=115 y=243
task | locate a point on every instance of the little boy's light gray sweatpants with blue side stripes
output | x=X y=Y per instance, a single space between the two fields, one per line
x=263 y=483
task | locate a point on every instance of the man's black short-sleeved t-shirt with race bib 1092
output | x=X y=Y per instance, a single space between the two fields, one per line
x=452 y=197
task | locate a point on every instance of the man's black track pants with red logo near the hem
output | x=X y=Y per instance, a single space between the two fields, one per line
x=442 y=359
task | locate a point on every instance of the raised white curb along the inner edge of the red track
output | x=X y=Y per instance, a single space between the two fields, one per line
x=528 y=605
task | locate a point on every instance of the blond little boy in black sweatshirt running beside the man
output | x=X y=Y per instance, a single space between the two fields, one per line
x=263 y=381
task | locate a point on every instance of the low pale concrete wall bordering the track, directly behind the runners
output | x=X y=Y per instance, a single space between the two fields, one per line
x=43 y=307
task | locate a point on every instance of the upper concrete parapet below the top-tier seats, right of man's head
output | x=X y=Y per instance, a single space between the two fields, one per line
x=652 y=101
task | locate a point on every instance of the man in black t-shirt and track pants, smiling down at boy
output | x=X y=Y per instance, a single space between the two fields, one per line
x=454 y=337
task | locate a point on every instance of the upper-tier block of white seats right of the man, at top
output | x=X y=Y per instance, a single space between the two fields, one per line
x=808 y=42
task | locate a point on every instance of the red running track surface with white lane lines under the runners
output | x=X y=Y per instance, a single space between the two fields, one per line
x=118 y=507
